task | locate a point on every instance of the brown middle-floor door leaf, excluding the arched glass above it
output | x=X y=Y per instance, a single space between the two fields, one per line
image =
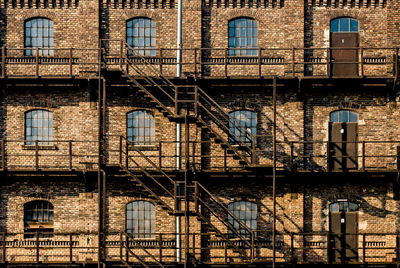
x=343 y=146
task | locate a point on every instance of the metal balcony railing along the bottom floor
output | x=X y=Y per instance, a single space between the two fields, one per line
x=292 y=248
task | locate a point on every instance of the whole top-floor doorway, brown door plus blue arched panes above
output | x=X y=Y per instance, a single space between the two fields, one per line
x=344 y=47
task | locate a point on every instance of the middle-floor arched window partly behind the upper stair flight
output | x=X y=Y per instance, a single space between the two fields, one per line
x=241 y=124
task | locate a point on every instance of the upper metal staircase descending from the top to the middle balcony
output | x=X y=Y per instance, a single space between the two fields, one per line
x=169 y=97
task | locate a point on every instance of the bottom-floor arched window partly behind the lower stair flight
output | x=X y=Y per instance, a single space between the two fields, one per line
x=247 y=213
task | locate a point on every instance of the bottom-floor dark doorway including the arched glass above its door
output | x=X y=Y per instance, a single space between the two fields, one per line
x=343 y=232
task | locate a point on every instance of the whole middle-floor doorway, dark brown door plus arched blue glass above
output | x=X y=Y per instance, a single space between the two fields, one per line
x=343 y=138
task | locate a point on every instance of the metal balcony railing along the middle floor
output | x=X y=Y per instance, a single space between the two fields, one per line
x=202 y=155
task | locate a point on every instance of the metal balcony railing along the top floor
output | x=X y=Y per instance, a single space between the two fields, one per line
x=201 y=62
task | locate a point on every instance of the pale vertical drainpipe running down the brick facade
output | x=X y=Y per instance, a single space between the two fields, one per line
x=178 y=125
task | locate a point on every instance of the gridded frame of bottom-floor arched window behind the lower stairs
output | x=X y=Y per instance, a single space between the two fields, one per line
x=253 y=220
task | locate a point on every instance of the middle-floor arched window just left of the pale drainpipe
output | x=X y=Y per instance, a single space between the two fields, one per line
x=140 y=127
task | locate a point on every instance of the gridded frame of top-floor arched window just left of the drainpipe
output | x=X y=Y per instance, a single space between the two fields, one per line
x=146 y=50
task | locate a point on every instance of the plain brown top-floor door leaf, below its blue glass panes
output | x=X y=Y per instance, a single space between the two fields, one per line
x=342 y=52
